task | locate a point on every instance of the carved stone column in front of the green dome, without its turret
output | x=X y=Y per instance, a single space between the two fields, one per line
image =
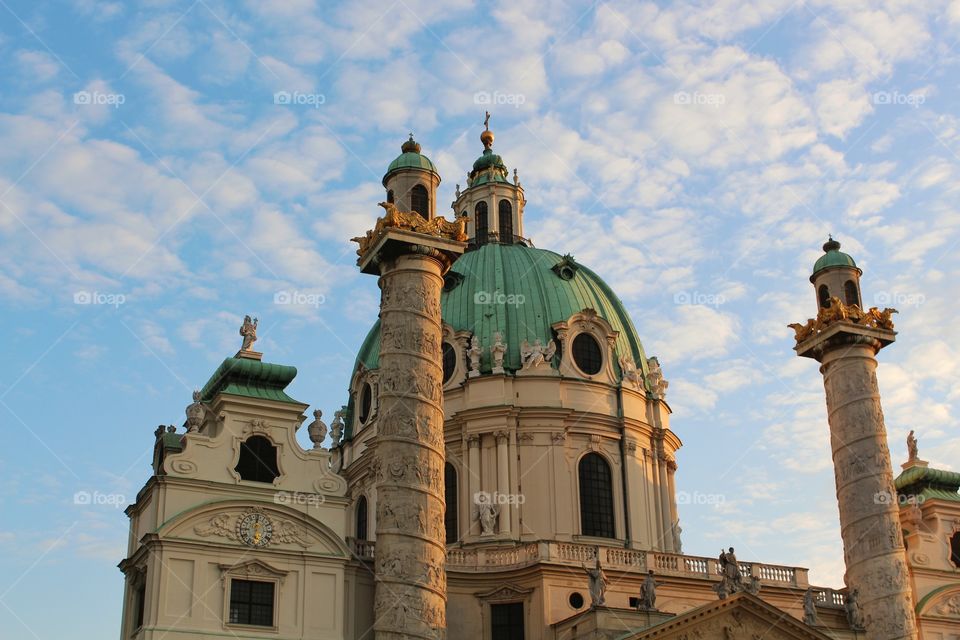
x=410 y=594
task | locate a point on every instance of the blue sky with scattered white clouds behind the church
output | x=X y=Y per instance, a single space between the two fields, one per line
x=167 y=167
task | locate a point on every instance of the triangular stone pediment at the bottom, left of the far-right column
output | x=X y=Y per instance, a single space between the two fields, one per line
x=740 y=617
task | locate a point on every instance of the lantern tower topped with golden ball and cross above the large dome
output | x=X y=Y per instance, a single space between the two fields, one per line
x=493 y=202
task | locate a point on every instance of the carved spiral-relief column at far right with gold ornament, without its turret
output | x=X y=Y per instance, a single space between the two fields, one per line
x=845 y=340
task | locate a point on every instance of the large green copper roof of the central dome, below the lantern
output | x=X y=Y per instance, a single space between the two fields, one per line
x=521 y=291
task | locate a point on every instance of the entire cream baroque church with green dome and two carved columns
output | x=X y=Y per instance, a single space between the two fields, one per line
x=503 y=468
